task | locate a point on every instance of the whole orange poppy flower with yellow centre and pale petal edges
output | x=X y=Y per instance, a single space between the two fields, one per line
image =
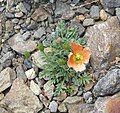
x=79 y=57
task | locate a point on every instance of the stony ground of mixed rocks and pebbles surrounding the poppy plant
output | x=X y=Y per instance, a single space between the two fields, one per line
x=24 y=23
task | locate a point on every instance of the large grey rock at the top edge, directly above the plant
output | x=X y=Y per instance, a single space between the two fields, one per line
x=62 y=9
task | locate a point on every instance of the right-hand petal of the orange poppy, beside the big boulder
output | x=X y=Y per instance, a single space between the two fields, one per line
x=86 y=55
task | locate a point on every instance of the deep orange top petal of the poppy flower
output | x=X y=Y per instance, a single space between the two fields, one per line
x=76 y=48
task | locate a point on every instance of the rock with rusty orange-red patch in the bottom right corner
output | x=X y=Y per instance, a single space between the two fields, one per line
x=107 y=104
